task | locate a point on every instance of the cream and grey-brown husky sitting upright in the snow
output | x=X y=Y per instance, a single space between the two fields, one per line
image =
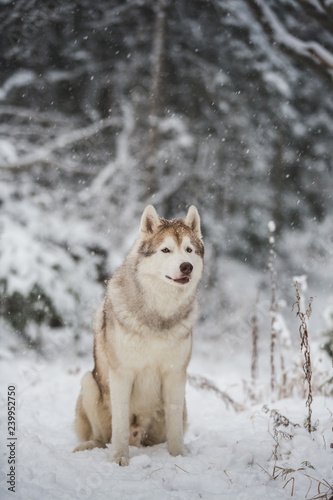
x=143 y=341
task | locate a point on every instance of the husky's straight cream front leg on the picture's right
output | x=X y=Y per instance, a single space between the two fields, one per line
x=173 y=396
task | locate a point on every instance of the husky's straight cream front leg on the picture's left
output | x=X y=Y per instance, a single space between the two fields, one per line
x=120 y=388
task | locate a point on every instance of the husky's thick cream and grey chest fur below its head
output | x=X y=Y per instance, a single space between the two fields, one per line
x=137 y=332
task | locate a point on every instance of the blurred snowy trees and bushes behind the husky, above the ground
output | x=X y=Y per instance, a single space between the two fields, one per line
x=107 y=106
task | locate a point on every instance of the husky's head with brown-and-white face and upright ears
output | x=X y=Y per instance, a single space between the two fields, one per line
x=171 y=250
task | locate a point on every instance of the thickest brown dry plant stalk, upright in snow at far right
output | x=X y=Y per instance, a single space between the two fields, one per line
x=305 y=347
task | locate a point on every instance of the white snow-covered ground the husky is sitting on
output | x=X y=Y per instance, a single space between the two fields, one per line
x=230 y=455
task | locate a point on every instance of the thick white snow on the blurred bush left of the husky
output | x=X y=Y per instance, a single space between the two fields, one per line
x=52 y=257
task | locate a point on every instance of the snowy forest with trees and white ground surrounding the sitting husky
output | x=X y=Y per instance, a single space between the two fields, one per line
x=108 y=106
